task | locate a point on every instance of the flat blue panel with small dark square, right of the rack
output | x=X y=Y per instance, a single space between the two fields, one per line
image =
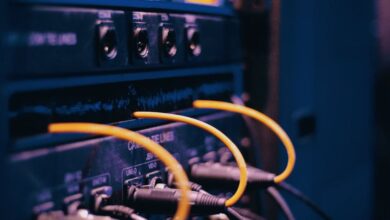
x=328 y=68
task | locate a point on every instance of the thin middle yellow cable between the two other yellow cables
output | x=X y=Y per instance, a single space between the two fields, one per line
x=221 y=136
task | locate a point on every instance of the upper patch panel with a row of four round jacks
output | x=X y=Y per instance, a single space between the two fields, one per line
x=95 y=40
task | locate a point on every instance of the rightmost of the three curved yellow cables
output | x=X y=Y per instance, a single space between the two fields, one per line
x=271 y=124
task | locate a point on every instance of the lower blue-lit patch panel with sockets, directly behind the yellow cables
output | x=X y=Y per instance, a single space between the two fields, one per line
x=106 y=164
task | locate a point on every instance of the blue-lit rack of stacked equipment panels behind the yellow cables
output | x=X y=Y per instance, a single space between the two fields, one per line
x=99 y=61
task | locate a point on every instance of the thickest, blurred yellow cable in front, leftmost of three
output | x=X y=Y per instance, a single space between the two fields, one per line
x=121 y=133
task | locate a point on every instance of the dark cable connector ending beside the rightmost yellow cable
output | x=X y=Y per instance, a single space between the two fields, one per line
x=229 y=175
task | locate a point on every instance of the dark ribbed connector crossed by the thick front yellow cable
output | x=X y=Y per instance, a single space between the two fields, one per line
x=164 y=201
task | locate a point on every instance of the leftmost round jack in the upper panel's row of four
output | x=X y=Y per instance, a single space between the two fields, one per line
x=107 y=42
